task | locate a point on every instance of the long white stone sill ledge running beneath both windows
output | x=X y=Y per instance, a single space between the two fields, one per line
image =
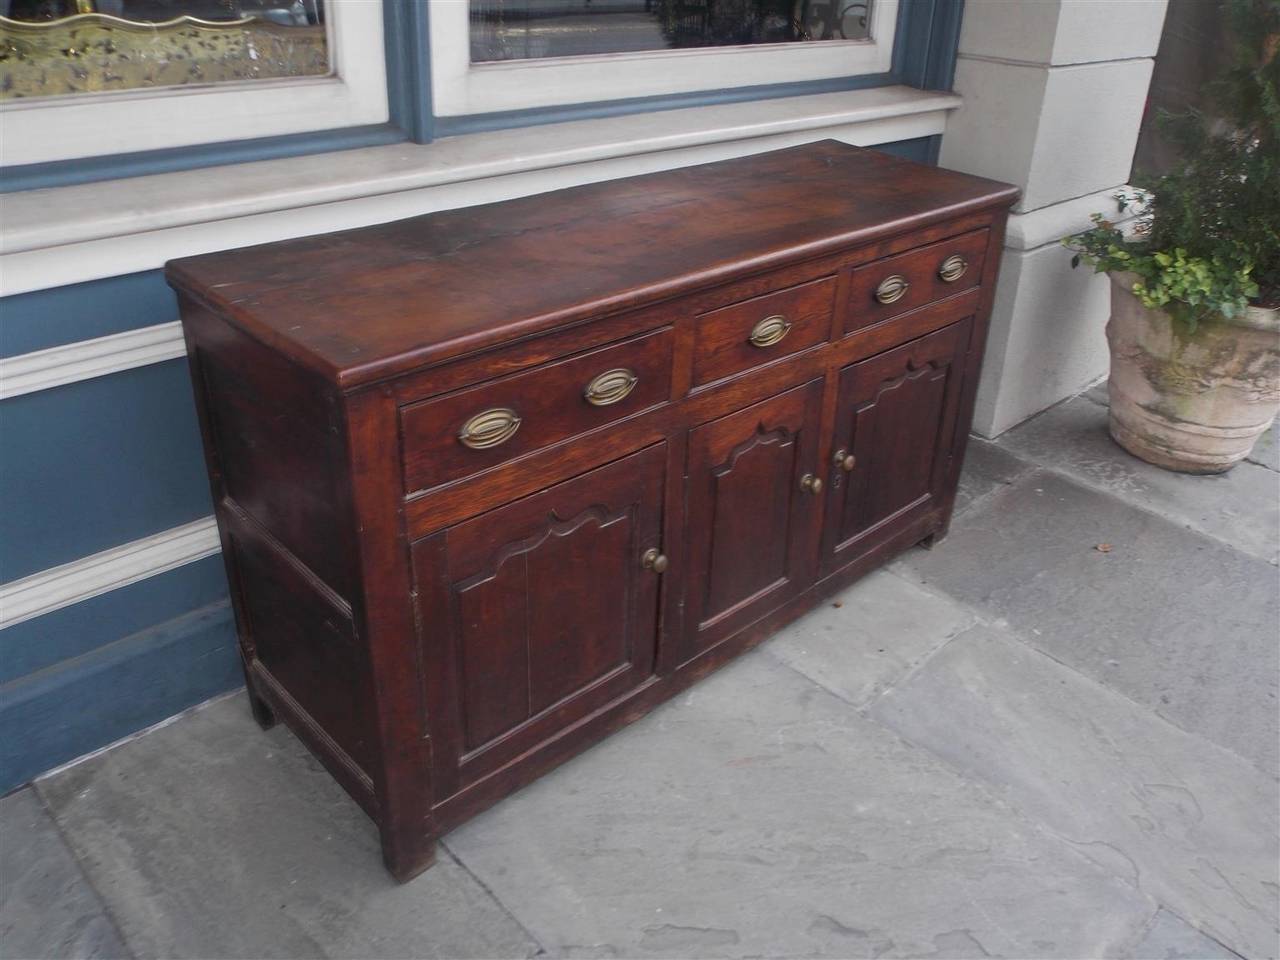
x=58 y=217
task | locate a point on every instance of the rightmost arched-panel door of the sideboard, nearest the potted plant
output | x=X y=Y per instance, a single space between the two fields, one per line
x=895 y=429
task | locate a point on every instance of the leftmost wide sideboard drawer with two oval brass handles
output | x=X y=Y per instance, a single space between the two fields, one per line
x=463 y=433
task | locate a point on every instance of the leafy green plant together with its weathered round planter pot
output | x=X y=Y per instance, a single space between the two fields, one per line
x=1195 y=328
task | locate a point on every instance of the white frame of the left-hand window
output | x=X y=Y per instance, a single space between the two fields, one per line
x=99 y=125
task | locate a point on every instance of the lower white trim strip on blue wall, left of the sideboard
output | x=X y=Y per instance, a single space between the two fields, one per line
x=92 y=577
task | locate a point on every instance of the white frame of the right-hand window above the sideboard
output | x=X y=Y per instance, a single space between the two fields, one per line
x=460 y=88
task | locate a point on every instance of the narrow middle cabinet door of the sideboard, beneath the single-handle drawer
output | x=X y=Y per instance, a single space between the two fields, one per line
x=752 y=519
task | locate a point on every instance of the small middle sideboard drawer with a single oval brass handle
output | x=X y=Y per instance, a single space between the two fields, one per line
x=761 y=330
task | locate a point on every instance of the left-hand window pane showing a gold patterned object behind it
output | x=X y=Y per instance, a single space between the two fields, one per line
x=56 y=48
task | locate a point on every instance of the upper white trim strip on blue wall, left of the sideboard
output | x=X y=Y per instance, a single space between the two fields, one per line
x=86 y=360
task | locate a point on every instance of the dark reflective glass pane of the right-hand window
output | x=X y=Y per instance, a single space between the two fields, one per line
x=520 y=30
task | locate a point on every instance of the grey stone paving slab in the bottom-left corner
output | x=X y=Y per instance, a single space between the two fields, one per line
x=48 y=909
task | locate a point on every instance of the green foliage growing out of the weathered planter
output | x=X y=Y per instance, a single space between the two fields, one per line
x=1206 y=237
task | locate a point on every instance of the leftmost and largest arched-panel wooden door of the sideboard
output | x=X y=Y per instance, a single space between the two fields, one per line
x=537 y=614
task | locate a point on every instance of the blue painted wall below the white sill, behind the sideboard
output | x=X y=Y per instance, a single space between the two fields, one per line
x=89 y=467
